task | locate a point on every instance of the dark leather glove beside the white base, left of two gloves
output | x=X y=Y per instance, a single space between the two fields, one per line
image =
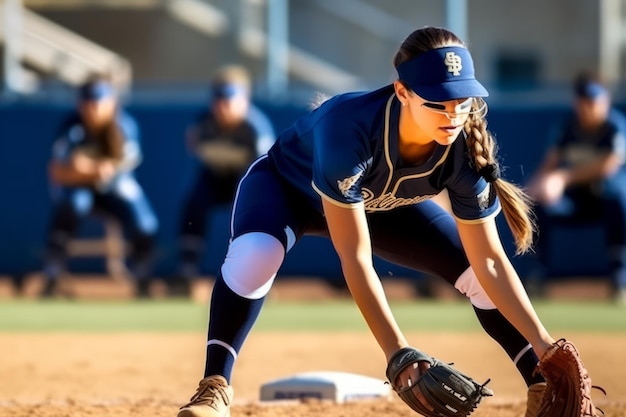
x=441 y=391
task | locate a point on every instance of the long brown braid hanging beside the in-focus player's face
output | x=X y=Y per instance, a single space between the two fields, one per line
x=516 y=204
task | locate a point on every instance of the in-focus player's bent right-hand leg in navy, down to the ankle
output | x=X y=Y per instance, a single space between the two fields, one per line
x=425 y=238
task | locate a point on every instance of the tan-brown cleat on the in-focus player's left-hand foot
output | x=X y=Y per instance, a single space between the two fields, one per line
x=212 y=399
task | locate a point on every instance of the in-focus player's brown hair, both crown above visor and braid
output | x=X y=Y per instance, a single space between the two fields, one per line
x=516 y=204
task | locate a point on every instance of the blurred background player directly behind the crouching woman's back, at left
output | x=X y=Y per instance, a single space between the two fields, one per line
x=225 y=139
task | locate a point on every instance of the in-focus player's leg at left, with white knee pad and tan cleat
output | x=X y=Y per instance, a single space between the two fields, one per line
x=265 y=224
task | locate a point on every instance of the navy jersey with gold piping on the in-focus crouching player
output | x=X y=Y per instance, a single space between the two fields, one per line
x=346 y=151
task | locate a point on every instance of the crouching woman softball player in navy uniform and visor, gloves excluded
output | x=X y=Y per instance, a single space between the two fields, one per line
x=361 y=169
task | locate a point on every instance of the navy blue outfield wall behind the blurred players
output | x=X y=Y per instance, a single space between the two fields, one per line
x=27 y=131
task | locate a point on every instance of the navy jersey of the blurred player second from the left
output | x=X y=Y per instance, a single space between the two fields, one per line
x=233 y=150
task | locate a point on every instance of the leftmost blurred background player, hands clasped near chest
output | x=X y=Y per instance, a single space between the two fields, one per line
x=92 y=171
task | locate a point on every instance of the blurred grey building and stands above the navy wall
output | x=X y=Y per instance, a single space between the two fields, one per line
x=327 y=45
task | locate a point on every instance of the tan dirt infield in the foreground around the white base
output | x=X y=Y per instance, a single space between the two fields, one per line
x=139 y=374
